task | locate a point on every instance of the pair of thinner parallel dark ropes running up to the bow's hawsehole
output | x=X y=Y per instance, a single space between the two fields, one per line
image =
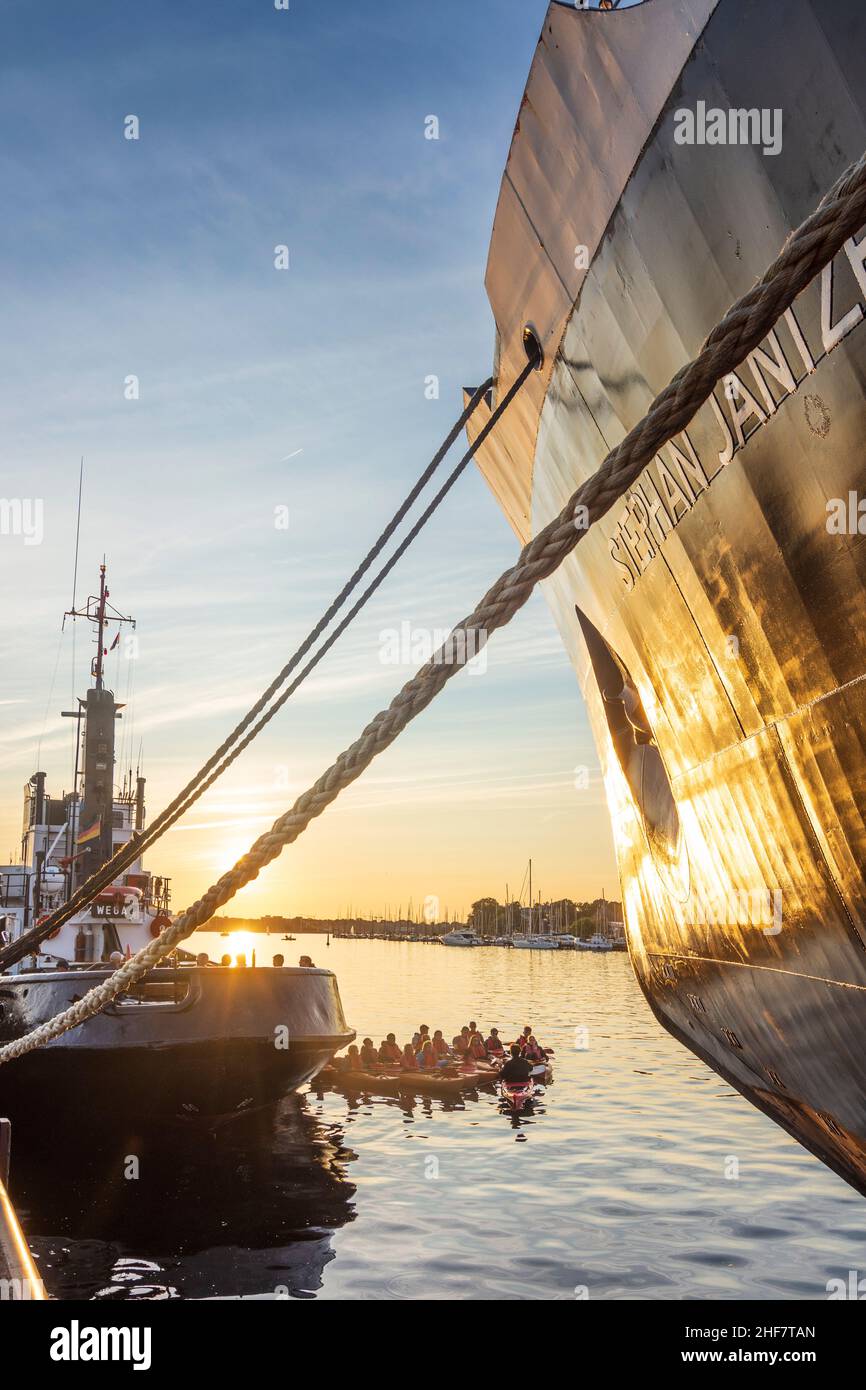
x=226 y=755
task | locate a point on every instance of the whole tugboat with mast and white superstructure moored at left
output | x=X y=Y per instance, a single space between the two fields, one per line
x=191 y=1039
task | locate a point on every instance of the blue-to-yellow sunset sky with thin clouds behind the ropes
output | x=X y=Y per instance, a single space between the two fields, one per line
x=263 y=389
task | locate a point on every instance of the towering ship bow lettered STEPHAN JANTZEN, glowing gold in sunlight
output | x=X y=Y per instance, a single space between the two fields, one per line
x=728 y=590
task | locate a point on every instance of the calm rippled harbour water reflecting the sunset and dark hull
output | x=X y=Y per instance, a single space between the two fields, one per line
x=616 y=1185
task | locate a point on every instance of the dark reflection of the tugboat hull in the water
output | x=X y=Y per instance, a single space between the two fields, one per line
x=244 y=1210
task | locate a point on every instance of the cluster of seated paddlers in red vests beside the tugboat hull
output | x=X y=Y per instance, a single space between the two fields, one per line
x=429 y=1052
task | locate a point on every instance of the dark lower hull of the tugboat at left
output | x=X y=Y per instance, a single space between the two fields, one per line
x=195 y=1042
